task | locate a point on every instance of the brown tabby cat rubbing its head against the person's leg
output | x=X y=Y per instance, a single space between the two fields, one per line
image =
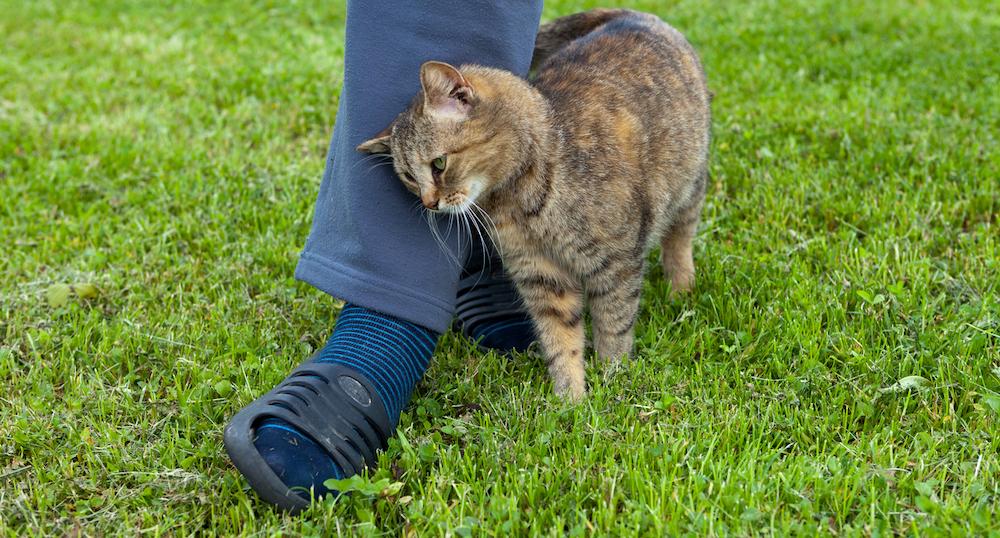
x=582 y=169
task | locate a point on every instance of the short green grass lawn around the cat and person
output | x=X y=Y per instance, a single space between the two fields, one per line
x=171 y=156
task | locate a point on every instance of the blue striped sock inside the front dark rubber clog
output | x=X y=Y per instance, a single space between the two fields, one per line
x=390 y=353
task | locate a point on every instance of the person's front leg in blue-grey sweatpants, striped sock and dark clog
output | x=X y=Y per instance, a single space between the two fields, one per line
x=370 y=245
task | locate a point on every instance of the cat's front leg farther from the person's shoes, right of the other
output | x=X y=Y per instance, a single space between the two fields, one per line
x=613 y=299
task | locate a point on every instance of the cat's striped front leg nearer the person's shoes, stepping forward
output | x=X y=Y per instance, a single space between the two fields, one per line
x=554 y=300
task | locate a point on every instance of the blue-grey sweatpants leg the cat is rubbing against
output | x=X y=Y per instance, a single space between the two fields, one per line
x=369 y=243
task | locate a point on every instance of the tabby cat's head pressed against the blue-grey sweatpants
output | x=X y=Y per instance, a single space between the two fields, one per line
x=461 y=137
